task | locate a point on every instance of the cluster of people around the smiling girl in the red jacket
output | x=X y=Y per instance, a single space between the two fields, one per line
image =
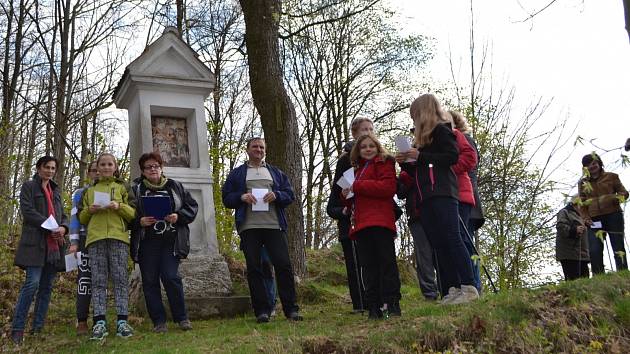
x=438 y=181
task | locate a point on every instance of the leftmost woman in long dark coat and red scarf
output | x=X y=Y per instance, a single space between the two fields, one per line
x=41 y=248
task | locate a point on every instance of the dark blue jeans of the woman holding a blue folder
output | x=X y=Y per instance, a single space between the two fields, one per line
x=157 y=262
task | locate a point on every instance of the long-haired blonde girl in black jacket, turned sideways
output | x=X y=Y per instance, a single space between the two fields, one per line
x=438 y=194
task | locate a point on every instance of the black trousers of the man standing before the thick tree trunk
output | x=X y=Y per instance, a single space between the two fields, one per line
x=275 y=242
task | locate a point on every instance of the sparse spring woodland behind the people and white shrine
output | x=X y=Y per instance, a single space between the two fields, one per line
x=333 y=60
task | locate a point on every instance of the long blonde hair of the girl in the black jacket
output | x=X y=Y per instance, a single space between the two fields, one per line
x=426 y=113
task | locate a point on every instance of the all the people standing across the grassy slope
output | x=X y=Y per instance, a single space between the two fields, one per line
x=438 y=181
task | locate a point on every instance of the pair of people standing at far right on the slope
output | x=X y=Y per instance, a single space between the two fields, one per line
x=584 y=223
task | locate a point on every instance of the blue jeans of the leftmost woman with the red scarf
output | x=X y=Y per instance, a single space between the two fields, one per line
x=38 y=280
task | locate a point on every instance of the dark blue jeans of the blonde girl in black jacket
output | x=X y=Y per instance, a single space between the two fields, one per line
x=440 y=220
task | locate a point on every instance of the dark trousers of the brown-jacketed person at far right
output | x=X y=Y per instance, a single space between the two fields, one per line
x=613 y=225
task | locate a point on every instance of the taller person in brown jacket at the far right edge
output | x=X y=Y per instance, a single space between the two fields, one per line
x=601 y=194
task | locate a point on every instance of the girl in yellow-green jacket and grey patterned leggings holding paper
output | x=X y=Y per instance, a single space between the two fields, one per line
x=107 y=242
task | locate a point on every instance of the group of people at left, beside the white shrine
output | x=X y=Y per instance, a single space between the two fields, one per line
x=104 y=234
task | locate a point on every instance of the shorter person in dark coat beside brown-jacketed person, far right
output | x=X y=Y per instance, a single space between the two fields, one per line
x=572 y=243
